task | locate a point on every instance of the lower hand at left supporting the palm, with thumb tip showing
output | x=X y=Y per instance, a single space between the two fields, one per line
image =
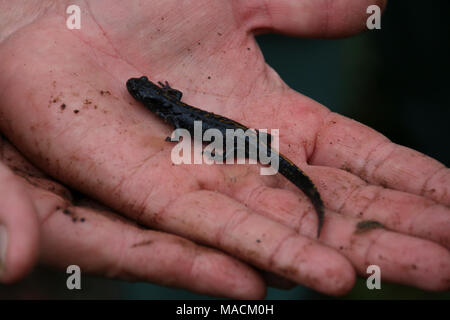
x=44 y=221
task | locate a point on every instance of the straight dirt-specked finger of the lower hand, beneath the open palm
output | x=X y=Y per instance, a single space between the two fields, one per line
x=104 y=244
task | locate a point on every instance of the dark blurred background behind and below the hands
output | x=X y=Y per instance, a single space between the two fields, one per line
x=395 y=80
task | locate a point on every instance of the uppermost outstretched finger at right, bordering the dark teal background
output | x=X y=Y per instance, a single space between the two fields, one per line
x=346 y=144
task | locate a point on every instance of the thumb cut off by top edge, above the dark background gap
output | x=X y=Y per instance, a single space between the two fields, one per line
x=309 y=18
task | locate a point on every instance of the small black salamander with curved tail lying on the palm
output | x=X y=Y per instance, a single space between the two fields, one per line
x=166 y=103
